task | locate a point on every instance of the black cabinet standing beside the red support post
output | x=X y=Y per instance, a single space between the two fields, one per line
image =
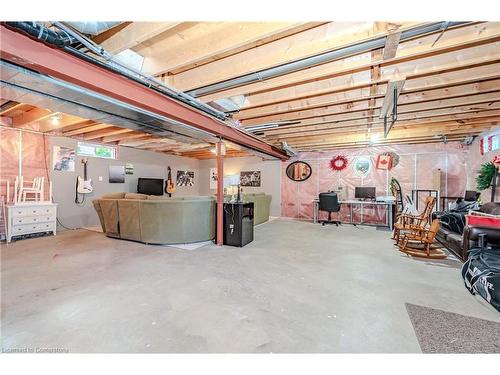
x=238 y=224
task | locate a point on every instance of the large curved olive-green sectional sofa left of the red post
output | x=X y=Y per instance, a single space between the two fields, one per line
x=156 y=220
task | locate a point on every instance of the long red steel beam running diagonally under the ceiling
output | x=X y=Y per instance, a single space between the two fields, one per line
x=20 y=49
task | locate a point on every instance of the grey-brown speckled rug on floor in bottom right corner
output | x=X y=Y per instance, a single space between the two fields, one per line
x=441 y=331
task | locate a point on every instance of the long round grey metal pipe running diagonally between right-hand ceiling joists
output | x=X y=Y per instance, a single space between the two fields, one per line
x=322 y=58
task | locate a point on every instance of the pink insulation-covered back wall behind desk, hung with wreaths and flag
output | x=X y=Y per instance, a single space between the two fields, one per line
x=414 y=170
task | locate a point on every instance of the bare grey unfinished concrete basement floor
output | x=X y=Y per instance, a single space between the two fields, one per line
x=298 y=287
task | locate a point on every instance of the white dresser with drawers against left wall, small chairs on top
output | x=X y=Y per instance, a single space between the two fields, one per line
x=30 y=217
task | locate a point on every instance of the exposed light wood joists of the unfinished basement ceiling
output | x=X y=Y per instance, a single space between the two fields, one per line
x=451 y=87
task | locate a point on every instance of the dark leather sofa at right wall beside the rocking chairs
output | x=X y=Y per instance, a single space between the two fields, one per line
x=461 y=243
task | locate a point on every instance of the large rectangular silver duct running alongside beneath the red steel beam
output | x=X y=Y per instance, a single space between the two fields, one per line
x=25 y=86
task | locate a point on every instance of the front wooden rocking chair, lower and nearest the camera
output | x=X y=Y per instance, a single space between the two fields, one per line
x=419 y=242
